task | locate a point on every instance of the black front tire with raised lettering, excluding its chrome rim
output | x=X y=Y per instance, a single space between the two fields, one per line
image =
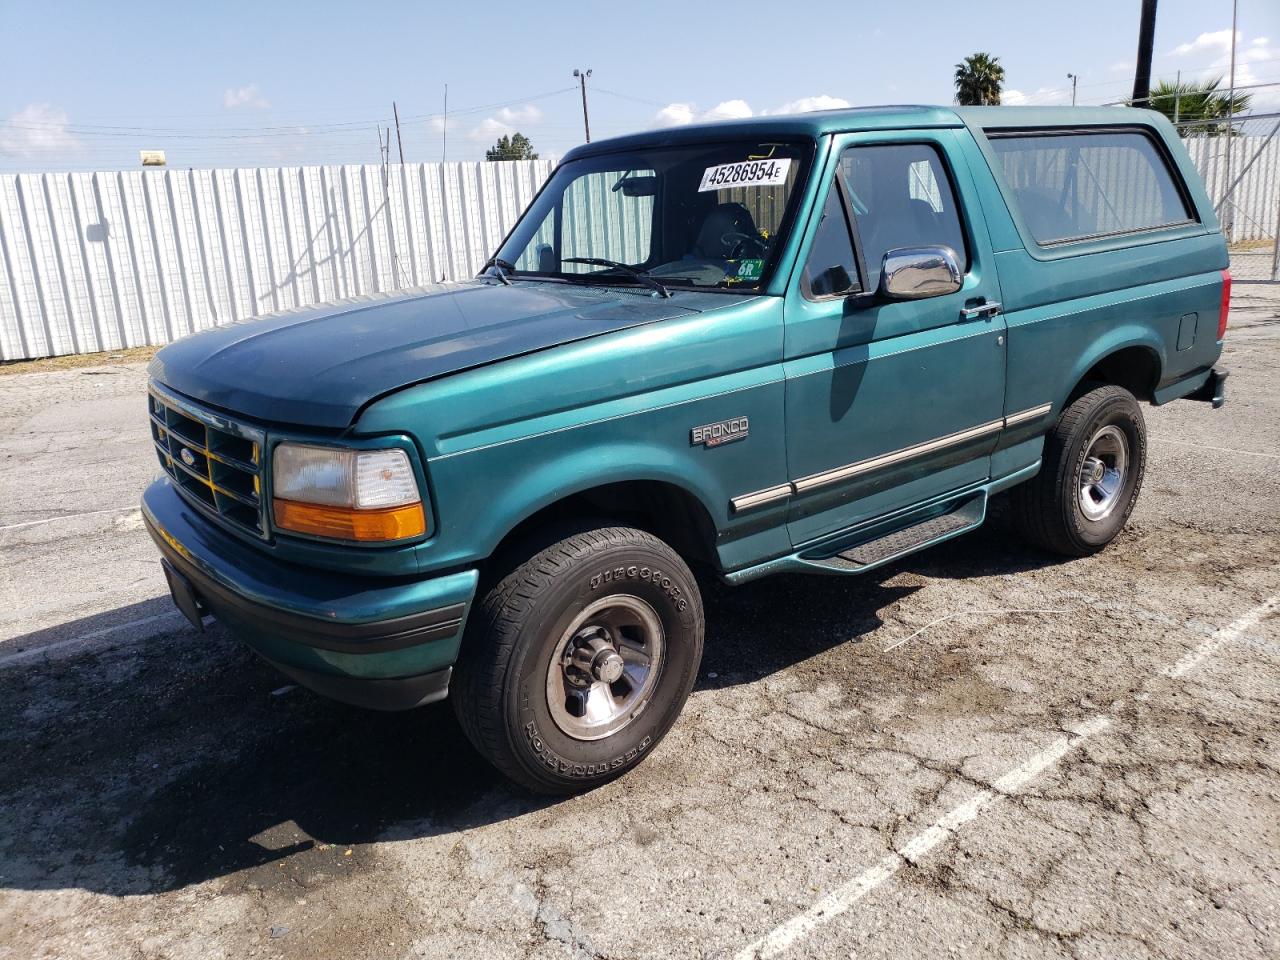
x=500 y=684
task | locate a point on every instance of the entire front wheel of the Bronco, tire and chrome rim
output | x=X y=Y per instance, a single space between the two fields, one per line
x=580 y=659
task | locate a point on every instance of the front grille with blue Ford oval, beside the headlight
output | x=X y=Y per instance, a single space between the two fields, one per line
x=214 y=461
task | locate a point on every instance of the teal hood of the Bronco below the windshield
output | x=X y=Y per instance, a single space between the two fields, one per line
x=321 y=365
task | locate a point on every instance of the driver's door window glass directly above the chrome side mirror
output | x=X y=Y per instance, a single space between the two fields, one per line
x=902 y=198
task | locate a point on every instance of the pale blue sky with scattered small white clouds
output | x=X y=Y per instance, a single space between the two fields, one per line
x=85 y=86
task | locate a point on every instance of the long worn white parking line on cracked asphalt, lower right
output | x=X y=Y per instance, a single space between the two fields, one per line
x=845 y=897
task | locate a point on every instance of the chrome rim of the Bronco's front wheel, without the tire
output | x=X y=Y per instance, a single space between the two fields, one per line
x=606 y=666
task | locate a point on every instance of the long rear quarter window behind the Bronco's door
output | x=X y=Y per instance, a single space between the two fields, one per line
x=1082 y=185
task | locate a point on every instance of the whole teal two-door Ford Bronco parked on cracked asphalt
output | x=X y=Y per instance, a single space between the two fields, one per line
x=788 y=345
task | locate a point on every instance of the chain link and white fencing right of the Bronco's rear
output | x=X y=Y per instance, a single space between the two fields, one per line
x=1240 y=161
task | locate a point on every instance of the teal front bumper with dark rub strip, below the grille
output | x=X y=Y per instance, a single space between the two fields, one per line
x=376 y=642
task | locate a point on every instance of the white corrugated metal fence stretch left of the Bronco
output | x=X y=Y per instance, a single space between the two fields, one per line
x=98 y=262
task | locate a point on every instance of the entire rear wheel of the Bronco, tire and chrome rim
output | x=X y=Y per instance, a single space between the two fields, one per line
x=1092 y=470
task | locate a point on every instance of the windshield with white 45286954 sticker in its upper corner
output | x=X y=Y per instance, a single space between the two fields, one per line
x=703 y=216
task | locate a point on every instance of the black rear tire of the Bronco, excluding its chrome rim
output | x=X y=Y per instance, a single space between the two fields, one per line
x=1046 y=510
